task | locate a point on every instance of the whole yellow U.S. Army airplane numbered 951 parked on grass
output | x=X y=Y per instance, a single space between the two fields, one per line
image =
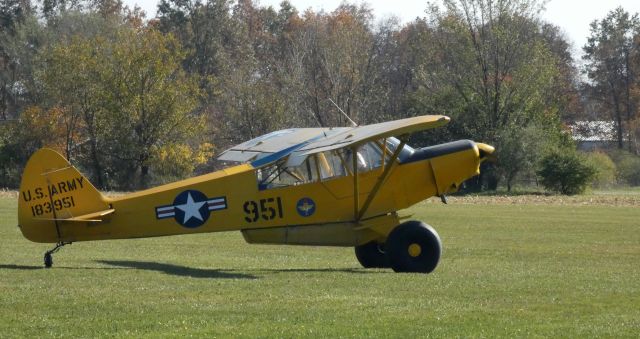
x=304 y=186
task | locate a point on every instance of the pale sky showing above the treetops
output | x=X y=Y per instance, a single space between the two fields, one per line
x=572 y=16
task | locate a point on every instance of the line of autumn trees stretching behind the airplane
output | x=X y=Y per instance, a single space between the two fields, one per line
x=136 y=101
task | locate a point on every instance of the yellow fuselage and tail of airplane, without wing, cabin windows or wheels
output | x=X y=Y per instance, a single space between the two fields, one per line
x=58 y=204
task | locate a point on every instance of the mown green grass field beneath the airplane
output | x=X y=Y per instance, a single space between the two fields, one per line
x=512 y=267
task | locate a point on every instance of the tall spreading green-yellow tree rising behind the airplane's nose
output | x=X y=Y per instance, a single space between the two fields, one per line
x=490 y=69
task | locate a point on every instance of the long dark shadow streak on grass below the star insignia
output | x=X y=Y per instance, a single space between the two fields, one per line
x=176 y=270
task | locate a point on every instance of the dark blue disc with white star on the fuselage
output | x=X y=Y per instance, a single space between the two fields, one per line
x=191 y=208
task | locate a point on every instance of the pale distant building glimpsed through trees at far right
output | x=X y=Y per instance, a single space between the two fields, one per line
x=594 y=135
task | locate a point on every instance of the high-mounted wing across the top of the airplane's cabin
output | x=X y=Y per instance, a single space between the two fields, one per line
x=298 y=143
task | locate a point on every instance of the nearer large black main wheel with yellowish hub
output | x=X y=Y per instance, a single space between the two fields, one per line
x=413 y=246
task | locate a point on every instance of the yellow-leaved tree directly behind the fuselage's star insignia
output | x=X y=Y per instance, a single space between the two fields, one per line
x=150 y=103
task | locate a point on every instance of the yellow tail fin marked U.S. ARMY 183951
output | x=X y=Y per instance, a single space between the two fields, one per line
x=54 y=197
